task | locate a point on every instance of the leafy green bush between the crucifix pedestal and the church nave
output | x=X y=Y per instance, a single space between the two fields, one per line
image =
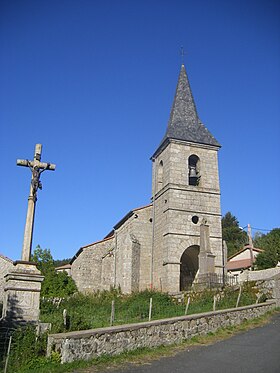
x=55 y=284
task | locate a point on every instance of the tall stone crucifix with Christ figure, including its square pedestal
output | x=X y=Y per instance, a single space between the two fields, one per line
x=23 y=282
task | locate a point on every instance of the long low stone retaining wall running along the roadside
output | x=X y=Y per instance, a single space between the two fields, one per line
x=88 y=344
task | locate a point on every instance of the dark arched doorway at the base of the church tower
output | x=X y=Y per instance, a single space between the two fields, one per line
x=188 y=267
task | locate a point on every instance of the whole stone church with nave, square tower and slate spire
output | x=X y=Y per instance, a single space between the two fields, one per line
x=176 y=240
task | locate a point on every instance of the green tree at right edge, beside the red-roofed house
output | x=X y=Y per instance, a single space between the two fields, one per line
x=270 y=243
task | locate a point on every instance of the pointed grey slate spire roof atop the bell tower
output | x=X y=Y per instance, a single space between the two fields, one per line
x=184 y=123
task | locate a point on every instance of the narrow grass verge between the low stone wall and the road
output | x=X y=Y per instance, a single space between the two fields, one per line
x=145 y=355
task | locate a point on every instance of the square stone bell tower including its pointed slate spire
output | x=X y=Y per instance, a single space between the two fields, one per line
x=187 y=237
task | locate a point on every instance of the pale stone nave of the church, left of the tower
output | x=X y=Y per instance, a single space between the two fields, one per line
x=120 y=260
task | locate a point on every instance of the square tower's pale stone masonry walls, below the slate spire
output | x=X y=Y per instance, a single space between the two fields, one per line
x=176 y=202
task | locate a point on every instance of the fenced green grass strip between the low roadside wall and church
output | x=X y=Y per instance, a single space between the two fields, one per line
x=94 y=310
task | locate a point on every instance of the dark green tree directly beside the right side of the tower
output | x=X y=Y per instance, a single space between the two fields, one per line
x=234 y=236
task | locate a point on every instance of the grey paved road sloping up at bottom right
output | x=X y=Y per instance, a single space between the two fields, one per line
x=255 y=351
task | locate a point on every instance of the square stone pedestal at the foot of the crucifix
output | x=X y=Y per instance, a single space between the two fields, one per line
x=22 y=293
